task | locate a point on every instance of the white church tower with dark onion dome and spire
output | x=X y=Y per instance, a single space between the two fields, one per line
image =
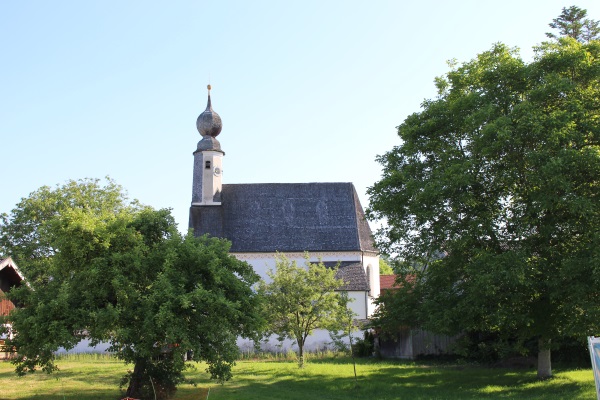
x=208 y=159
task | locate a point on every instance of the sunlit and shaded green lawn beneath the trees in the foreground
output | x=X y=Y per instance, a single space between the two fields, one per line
x=91 y=377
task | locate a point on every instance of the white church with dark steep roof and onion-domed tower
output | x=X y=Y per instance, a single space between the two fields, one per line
x=263 y=219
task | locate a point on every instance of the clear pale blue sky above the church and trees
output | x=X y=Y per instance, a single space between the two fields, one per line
x=308 y=91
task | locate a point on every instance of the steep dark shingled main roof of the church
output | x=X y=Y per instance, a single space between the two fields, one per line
x=287 y=217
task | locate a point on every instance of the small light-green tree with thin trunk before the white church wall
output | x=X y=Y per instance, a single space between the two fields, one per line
x=299 y=300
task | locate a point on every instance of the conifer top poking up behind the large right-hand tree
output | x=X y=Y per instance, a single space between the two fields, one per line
x=572 y=23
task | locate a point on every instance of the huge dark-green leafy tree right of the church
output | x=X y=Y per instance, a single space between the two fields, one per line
x=494 y=192
